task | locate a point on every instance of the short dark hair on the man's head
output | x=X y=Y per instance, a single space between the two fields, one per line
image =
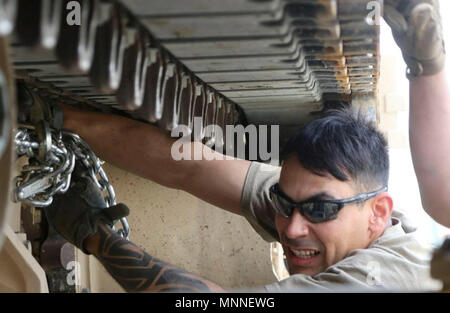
x=345 y=144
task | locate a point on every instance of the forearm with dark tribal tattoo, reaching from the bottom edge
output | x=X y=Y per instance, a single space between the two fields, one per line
x=136 y=271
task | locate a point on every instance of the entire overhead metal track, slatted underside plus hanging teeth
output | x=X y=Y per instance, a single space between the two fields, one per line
x=252 y=54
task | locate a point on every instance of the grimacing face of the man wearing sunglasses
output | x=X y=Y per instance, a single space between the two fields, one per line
x=311 y=248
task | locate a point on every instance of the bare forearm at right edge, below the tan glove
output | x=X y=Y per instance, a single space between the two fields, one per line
x=430 y=142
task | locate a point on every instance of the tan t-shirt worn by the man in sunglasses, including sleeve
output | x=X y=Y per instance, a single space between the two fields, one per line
x=395 y=261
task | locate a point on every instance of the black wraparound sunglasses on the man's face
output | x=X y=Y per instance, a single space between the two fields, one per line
x=316 y=211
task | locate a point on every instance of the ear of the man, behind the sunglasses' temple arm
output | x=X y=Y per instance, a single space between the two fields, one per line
x=381 y=210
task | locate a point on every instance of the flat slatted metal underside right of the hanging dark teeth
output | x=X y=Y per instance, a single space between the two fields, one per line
x=266 y=51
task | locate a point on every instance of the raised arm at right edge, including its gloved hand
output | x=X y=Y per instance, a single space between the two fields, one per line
x=416 y=27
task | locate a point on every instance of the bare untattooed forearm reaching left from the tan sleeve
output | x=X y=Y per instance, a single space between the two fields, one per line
x=145 y=150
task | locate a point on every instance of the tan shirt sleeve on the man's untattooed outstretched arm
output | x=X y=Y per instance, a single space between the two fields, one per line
x=256 y=204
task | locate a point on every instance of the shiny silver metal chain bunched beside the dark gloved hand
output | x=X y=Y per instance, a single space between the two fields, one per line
x=50 y=166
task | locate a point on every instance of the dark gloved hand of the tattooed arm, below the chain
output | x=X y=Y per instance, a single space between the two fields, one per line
x=75 y=214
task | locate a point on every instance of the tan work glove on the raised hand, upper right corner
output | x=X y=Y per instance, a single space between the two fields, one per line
x=417 y=29
